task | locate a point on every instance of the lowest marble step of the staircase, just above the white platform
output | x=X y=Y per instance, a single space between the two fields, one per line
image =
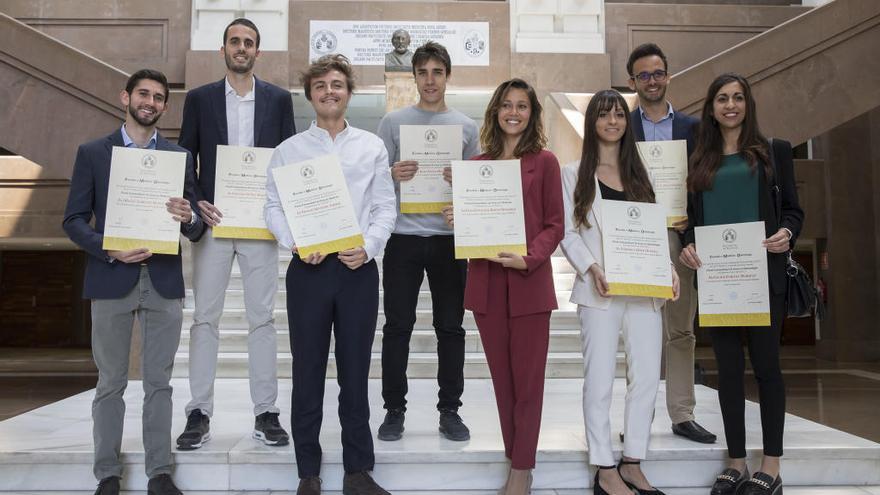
x=421 y=365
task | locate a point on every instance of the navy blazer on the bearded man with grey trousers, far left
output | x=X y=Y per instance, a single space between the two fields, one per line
x=88 y=197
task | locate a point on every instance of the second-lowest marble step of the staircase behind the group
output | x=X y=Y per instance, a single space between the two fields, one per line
x=421 y=341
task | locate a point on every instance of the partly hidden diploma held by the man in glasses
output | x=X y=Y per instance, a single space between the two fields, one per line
x=666 y=162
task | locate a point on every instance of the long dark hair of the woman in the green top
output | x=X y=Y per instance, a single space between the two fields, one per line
x=709 y=146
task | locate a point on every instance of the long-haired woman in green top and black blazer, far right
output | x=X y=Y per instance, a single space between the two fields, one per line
x=735 y=177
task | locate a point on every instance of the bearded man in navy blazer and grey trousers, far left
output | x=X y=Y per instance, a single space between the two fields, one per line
x=129 y=283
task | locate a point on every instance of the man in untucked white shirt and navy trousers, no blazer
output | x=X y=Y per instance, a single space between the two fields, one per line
x=336 y=292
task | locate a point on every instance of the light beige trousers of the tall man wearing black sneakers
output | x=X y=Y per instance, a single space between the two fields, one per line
x=212 y=265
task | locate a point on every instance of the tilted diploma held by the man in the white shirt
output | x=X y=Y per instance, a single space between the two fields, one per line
x=317 y=205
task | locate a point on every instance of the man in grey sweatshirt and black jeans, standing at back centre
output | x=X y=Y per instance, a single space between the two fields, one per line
x=422 y=243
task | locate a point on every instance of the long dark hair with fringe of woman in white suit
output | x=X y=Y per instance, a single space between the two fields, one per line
x=633 y=175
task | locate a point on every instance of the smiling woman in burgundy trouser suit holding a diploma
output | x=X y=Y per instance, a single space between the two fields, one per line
x=512 y=295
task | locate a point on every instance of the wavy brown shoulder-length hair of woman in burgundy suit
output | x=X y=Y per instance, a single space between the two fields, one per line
x=491 y=135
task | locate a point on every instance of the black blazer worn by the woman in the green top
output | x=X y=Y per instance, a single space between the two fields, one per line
x=779 y=189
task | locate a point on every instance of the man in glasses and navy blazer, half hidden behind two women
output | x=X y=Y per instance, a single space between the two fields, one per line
x=655 y=120
